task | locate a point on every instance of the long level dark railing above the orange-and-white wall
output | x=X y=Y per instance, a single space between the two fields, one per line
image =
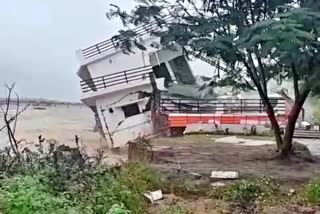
x=203 y=106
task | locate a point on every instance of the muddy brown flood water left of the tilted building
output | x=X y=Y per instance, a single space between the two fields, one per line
x=60 y=122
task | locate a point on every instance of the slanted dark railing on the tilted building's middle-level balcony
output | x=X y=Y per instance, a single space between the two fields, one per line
x=122 y=77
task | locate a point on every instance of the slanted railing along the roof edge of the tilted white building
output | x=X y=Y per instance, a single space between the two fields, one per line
x=109 y=44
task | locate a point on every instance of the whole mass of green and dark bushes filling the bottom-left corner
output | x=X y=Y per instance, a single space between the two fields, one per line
x=65 y=180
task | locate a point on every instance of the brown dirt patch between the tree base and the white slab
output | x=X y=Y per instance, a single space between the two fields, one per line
x=200 y=154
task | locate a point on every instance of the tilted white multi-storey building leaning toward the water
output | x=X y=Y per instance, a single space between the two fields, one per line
x=118 y=86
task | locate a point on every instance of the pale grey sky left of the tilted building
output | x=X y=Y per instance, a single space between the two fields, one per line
x=39 y=39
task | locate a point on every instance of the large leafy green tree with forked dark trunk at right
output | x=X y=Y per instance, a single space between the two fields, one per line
x=252 y=41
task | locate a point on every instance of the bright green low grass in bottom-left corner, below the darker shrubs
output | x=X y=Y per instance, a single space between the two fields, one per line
x=100 y=191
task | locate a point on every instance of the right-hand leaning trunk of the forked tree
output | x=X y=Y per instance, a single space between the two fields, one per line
x=286 y=149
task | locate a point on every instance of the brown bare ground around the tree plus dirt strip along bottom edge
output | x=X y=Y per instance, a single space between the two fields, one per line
x=200 y=154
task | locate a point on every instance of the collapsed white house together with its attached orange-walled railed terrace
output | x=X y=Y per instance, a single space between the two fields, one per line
x=145 y=92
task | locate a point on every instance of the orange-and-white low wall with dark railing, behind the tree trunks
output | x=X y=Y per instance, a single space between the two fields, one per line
x=181 y=113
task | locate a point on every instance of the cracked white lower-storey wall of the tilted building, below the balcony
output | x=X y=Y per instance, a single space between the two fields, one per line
x=125 y=115
